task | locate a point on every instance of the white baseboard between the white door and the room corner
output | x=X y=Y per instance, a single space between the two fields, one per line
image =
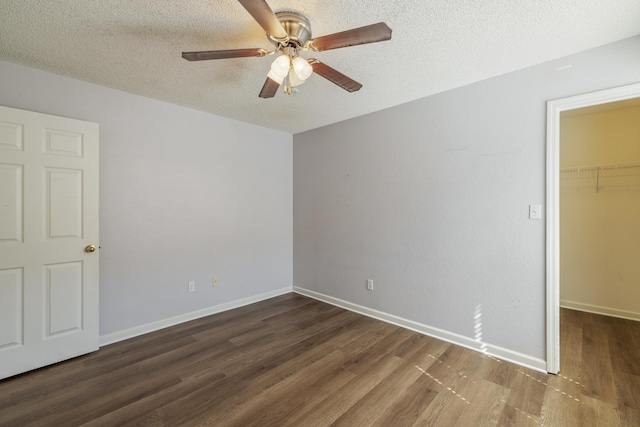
x=165 y=323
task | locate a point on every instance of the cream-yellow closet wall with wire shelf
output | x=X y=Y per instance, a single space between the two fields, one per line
x=599 y=249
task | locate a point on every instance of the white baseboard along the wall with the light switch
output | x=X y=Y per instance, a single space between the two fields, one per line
x=491 y=350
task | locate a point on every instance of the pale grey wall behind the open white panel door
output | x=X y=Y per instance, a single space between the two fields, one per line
x=184 y=196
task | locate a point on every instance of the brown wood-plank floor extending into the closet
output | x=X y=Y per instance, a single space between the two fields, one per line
x=294 y=361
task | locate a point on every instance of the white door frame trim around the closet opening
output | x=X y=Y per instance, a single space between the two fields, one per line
x=554 y=108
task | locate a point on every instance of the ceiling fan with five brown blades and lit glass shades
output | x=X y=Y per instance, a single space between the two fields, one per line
x=290 y=32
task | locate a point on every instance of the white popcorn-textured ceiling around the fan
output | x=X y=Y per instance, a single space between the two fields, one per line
x=135 y=46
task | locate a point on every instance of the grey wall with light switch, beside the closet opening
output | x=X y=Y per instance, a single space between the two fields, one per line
x=430 y=200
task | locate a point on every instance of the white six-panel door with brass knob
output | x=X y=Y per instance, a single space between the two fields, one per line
x=48 y=220
